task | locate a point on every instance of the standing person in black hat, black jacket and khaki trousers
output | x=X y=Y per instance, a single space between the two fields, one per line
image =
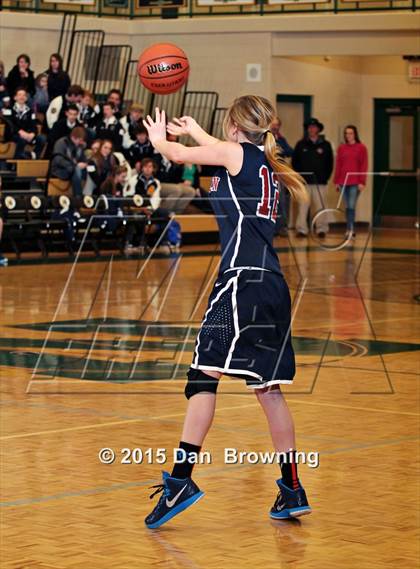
x=313 y=159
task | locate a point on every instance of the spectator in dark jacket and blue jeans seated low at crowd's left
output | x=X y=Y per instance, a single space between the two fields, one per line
x=69 y=160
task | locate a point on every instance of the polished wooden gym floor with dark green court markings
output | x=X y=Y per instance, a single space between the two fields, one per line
x=70 y=335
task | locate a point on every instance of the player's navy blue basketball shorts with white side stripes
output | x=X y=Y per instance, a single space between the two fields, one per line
x=246 y=330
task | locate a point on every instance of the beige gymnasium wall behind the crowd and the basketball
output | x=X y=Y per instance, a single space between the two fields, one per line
x=343 y=61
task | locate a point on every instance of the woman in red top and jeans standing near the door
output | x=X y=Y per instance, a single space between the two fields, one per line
x=350 y=172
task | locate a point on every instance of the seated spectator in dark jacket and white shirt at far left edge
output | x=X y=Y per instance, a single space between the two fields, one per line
x=23 y=127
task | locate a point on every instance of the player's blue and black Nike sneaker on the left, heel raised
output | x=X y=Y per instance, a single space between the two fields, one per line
x=178 y=495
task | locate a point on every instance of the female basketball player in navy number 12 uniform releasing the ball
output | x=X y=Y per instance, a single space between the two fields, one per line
x=245 y=332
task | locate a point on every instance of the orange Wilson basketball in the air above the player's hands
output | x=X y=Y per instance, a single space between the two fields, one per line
x=163 y=68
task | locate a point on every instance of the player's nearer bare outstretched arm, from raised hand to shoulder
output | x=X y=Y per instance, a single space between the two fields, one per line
x=227 y=154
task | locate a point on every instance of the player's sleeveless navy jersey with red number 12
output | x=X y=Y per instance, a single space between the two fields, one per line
x=246 y=209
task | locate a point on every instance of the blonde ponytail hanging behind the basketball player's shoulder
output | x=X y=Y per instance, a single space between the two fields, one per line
x=285 y=174
